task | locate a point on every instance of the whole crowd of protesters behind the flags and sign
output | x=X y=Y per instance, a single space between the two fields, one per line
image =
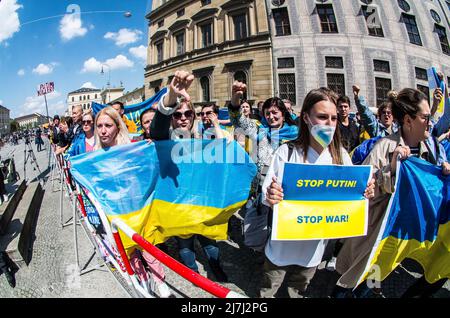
x=324 y=132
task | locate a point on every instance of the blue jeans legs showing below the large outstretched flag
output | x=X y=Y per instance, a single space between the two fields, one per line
x=187 y=253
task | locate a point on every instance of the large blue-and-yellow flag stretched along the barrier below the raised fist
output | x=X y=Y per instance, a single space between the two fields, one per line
x=169 y=188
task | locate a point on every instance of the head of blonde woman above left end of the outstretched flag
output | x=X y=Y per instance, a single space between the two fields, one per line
x=110 y=130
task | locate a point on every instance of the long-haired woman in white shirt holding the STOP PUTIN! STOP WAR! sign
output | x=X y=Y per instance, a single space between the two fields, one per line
x=318 y=143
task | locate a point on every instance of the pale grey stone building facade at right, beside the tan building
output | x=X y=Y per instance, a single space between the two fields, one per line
x=379 y=45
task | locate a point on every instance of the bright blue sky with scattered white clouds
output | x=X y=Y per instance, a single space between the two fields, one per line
x=66 y=42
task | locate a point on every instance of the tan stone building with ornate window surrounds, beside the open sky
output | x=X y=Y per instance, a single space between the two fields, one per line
x=218 y=41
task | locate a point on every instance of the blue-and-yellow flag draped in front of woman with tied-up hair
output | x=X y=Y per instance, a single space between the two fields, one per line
x=416 y=224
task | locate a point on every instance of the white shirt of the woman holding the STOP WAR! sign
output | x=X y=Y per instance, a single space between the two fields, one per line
x=302 y=253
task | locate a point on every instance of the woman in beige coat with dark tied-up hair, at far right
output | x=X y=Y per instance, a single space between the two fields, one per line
x=411 y=109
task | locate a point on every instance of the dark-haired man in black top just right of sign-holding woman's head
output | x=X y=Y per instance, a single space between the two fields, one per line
x=349 y=129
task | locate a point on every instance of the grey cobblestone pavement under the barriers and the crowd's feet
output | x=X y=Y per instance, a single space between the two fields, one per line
x=53 y=271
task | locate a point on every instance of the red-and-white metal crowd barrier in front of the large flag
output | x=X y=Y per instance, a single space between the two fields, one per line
x=114 y=252
